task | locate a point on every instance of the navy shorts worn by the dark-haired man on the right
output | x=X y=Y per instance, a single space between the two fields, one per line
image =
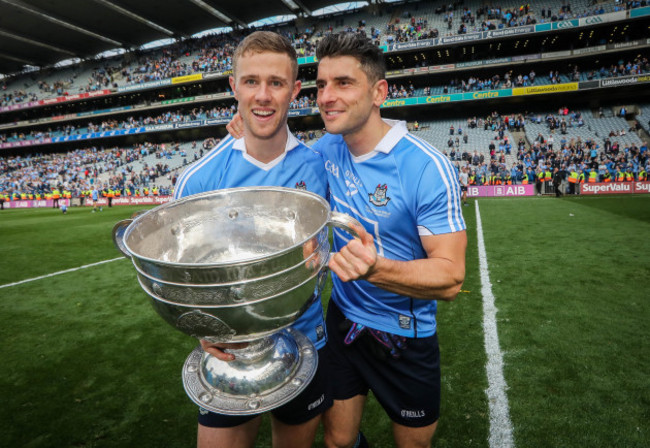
x=408 y=387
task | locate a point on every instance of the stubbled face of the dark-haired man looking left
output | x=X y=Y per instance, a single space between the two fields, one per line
x=346 y=97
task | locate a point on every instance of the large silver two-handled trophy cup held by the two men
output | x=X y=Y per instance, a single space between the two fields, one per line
x=237 y=265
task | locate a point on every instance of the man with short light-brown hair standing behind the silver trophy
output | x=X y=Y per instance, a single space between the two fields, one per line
x=264 y=83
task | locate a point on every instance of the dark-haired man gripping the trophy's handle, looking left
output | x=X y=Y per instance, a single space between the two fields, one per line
x=381 y=318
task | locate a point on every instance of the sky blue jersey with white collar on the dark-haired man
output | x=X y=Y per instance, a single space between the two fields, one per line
x=400 y=191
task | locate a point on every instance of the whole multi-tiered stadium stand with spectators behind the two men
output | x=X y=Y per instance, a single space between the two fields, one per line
x=501 y=144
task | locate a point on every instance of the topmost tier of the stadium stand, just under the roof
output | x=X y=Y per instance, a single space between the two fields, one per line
x=401 y=23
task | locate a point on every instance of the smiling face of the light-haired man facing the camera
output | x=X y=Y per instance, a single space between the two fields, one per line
x=264 y=85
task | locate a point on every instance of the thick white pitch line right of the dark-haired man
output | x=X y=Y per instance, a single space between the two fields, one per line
x=500 y=424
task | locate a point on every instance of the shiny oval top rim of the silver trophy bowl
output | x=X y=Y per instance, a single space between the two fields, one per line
x=222 y=192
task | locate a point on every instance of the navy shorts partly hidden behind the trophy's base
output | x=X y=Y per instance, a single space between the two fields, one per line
x=311 y=402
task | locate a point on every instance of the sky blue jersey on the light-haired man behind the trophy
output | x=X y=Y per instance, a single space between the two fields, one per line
x=228 y=165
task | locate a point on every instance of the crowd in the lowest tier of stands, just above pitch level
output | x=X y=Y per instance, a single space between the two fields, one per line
x=505 y=162
